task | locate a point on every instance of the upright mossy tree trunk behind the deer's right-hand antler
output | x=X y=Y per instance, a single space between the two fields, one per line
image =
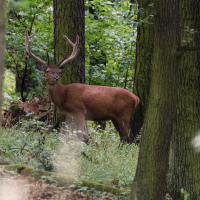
x=69 y=20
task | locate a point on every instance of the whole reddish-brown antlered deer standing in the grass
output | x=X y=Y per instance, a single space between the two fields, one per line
x=86 y=102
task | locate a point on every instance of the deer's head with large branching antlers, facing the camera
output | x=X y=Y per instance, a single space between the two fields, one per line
x=52 y=72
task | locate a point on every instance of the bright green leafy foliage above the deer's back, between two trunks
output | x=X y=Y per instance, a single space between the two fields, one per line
x=110 y=43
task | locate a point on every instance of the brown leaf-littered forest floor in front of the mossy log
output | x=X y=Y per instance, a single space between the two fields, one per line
x=22 y=188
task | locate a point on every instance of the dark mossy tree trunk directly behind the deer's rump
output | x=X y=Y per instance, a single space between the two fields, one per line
x=143 y=64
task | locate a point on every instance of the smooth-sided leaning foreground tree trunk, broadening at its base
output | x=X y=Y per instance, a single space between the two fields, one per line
x=150 y=178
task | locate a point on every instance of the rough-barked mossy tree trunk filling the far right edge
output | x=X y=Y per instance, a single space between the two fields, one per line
x=184 y=166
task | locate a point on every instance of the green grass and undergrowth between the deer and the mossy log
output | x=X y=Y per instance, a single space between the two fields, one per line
x=49 y=150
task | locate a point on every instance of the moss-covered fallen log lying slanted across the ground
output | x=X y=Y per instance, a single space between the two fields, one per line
x=62 y=179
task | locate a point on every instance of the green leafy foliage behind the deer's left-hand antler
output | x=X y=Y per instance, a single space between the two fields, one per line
x=37 y=17
